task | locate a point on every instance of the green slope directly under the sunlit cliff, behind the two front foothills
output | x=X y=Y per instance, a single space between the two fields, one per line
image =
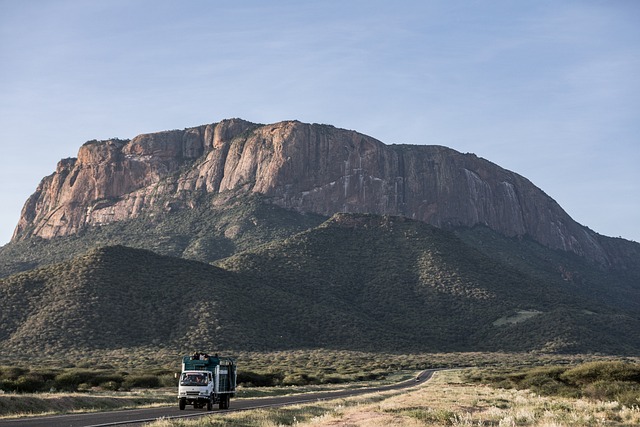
x=216 y=226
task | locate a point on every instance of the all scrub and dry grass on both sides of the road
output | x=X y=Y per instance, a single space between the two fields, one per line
x=500 y=387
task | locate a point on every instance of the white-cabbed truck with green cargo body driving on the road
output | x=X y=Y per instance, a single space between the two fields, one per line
x=206 y=380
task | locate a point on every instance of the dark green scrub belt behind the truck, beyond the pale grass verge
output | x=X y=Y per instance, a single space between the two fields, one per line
x=147 y=368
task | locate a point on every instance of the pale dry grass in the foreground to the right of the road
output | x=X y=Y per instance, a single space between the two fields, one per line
x=447 y=400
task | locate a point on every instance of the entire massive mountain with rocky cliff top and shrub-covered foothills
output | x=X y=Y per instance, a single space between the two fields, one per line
x=293 y=235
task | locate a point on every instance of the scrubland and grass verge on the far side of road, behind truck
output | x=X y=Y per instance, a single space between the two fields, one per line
x=120 y=378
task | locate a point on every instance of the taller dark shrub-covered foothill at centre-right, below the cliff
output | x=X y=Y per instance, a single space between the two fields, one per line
x=433 y=291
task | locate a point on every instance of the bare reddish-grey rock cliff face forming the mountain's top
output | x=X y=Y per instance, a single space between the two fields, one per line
x=313 y=168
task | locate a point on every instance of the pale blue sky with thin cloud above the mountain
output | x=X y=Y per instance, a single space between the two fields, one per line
x=547 y=89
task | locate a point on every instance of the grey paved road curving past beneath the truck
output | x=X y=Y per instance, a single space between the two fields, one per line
x=132 y=417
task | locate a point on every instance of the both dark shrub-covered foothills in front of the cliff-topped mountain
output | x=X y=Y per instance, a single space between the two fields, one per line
x=356 y=281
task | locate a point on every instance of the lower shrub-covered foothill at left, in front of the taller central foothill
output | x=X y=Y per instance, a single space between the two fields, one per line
x=119 y=297
